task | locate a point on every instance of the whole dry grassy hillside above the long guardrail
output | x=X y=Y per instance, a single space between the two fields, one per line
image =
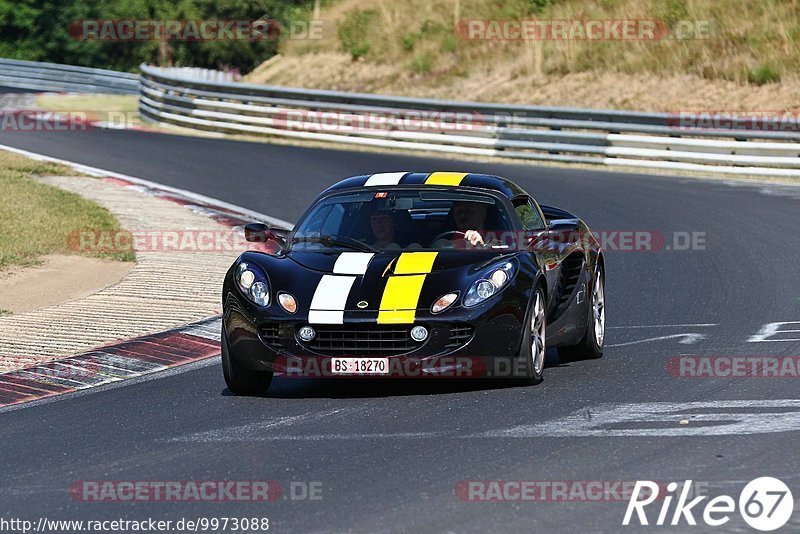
x=707 y=54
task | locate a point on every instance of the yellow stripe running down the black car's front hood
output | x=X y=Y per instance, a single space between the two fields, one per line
x=401 y=295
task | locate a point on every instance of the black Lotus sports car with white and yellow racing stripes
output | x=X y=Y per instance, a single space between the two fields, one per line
x=414 y=274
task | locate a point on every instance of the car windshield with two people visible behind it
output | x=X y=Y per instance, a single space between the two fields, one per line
x=405 y=220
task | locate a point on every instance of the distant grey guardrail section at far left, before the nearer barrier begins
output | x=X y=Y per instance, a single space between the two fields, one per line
x=65 y=78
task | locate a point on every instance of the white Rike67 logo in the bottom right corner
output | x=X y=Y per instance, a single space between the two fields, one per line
x=765 y=504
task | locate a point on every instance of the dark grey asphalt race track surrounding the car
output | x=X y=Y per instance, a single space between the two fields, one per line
x=389 y=454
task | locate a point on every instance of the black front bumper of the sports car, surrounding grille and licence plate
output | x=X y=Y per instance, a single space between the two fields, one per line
x=461 y=341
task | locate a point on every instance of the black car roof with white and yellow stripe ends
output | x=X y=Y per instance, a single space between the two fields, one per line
x=503 y=186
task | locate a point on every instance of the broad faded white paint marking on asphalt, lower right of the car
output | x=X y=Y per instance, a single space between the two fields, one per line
x=712 y=418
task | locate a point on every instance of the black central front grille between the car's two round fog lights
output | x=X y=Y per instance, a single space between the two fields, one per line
x=363 y=340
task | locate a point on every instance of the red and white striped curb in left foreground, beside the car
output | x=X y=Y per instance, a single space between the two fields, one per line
x=113 y=363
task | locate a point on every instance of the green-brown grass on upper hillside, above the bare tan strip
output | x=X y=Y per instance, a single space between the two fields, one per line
x=741 y=40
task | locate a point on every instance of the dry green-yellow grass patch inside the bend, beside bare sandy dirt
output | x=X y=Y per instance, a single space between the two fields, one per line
x=37 y=219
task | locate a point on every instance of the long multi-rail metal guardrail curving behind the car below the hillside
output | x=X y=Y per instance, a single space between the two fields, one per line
x=529 y=132
